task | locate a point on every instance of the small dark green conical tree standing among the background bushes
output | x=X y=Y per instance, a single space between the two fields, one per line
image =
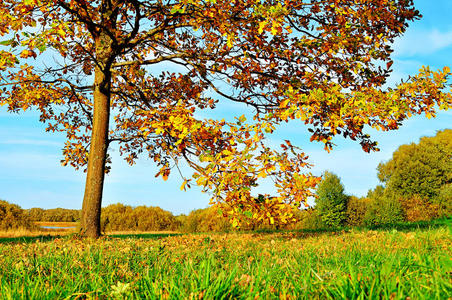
x=331 y=203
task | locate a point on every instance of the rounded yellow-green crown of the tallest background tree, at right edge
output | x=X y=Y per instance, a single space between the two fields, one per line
x=419 y=169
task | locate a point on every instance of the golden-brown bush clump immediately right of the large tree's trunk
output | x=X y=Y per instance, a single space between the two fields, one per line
x=120 y=217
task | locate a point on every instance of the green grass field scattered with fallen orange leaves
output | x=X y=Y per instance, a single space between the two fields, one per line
x=356 y=264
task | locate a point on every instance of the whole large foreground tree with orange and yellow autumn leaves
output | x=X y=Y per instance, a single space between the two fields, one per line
x=104 y=72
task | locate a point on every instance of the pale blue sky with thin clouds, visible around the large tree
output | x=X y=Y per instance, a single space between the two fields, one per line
x=31 y=174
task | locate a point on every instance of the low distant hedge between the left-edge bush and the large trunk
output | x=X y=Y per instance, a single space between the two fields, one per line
x=53 y=215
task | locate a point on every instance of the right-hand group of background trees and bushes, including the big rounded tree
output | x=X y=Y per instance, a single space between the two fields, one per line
x=416 y=185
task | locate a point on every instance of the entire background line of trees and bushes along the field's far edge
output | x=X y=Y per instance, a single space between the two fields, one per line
x=416 y=186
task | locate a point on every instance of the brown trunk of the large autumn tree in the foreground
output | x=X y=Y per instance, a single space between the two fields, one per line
x=92 y=200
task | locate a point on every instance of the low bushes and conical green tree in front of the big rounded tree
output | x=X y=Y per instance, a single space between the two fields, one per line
x=335 y=209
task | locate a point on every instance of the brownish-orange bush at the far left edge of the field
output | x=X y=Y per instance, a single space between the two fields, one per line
x=13 y=217
